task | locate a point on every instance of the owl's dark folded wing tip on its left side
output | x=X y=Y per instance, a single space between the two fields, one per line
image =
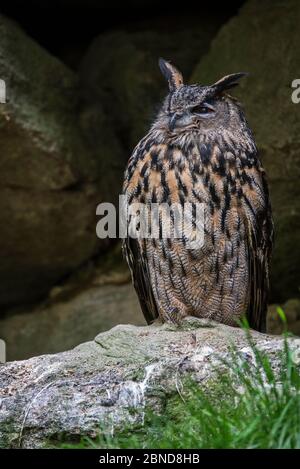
x=138 y=265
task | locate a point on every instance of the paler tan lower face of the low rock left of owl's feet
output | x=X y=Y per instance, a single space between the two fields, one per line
x=58 y=325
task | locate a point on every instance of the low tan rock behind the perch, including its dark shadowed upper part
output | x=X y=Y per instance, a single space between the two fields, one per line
x=95 y=298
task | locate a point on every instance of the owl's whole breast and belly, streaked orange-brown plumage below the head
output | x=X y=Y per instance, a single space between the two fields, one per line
x=226 y=184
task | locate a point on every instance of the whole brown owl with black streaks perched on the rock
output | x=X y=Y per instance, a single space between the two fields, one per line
x=200 y=150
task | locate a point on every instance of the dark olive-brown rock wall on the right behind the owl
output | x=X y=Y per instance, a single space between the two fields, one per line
x=262 y=40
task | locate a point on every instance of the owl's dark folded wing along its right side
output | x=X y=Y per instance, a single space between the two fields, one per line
x=259 y=246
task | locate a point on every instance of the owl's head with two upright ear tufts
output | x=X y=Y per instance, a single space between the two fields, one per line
x=196 y=107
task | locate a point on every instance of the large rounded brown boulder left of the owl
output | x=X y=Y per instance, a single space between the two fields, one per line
x=50 y=179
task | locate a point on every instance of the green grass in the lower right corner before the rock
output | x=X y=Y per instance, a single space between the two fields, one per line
x=246 y=406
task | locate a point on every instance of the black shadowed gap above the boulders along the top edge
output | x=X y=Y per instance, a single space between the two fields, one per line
x=59 y=25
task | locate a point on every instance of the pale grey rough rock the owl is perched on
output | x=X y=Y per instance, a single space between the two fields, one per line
x=109 y=382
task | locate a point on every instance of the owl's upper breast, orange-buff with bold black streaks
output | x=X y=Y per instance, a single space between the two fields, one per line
x=228 y=187
